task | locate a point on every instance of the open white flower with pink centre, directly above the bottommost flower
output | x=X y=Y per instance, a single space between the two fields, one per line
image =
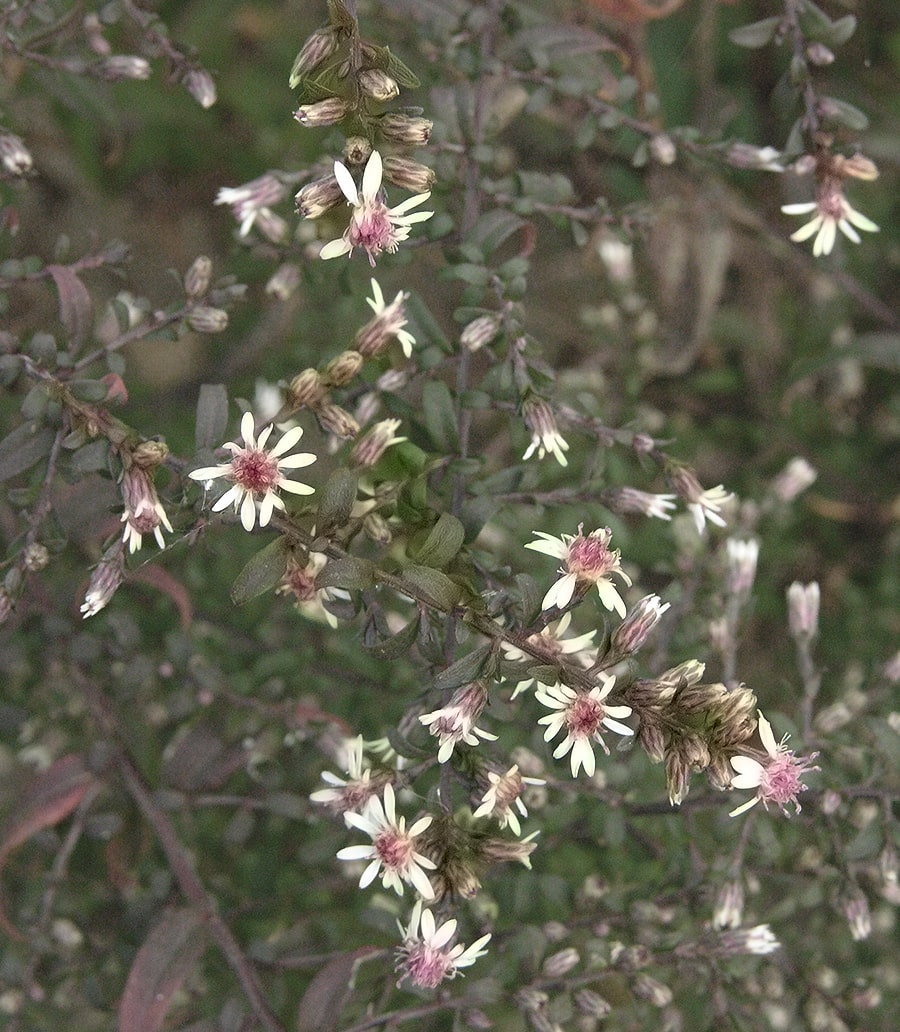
x=394 y=849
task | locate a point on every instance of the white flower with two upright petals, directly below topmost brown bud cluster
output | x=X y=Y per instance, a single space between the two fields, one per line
x=374 y=227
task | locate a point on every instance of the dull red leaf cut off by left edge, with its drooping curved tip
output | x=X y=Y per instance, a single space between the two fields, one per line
x=50 y=798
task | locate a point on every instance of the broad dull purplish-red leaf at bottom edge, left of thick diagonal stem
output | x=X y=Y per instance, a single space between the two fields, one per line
x=160 y=969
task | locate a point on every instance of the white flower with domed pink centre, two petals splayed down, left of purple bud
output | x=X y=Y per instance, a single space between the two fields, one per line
x=589 y=560
